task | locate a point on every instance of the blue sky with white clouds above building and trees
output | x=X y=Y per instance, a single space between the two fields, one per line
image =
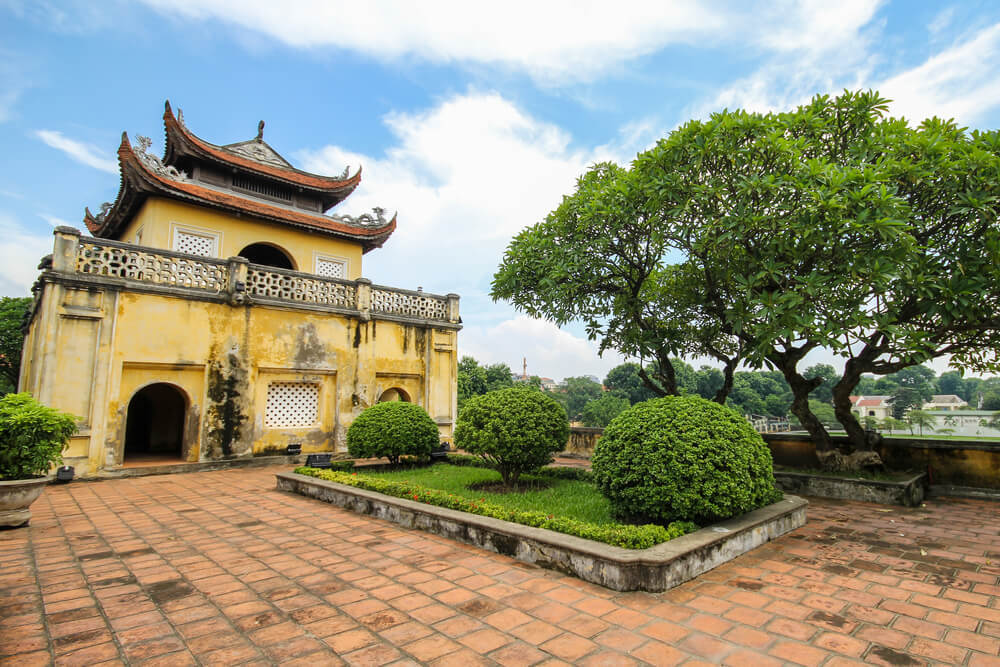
x=470 y=120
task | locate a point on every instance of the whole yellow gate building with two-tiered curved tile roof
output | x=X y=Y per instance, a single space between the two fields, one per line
x=218 y=312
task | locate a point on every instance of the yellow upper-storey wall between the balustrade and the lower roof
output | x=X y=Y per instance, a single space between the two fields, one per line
x=158 y=217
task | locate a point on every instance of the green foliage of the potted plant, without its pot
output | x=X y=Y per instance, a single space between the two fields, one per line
x=32 y=436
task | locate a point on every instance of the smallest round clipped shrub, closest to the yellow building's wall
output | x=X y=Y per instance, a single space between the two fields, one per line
x=392 y=429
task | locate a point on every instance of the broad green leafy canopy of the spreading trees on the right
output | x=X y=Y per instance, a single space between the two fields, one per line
x=757 y=238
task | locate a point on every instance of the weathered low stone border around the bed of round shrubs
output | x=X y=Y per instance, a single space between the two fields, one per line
x=657 y=568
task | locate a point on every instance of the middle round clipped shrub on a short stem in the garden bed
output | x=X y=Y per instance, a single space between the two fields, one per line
x=515 y=430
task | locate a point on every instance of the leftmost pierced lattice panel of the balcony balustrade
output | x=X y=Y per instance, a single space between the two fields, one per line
x=150 y=267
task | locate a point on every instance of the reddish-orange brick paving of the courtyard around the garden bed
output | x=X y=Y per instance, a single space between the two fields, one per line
x=219 y=568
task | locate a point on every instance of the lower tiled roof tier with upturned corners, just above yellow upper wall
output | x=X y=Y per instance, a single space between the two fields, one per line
x=138 y=181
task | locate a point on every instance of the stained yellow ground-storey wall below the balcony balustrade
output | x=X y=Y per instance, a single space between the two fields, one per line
x=91 y=348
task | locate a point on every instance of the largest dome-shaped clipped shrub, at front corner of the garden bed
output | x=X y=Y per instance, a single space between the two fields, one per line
x=683 y=458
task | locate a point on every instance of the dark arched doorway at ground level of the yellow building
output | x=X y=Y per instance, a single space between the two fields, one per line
x=154 y=424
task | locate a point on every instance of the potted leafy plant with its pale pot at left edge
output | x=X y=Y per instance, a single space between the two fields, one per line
x=32 y=439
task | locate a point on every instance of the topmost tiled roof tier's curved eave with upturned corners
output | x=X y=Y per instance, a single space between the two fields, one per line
x=181 y=142
